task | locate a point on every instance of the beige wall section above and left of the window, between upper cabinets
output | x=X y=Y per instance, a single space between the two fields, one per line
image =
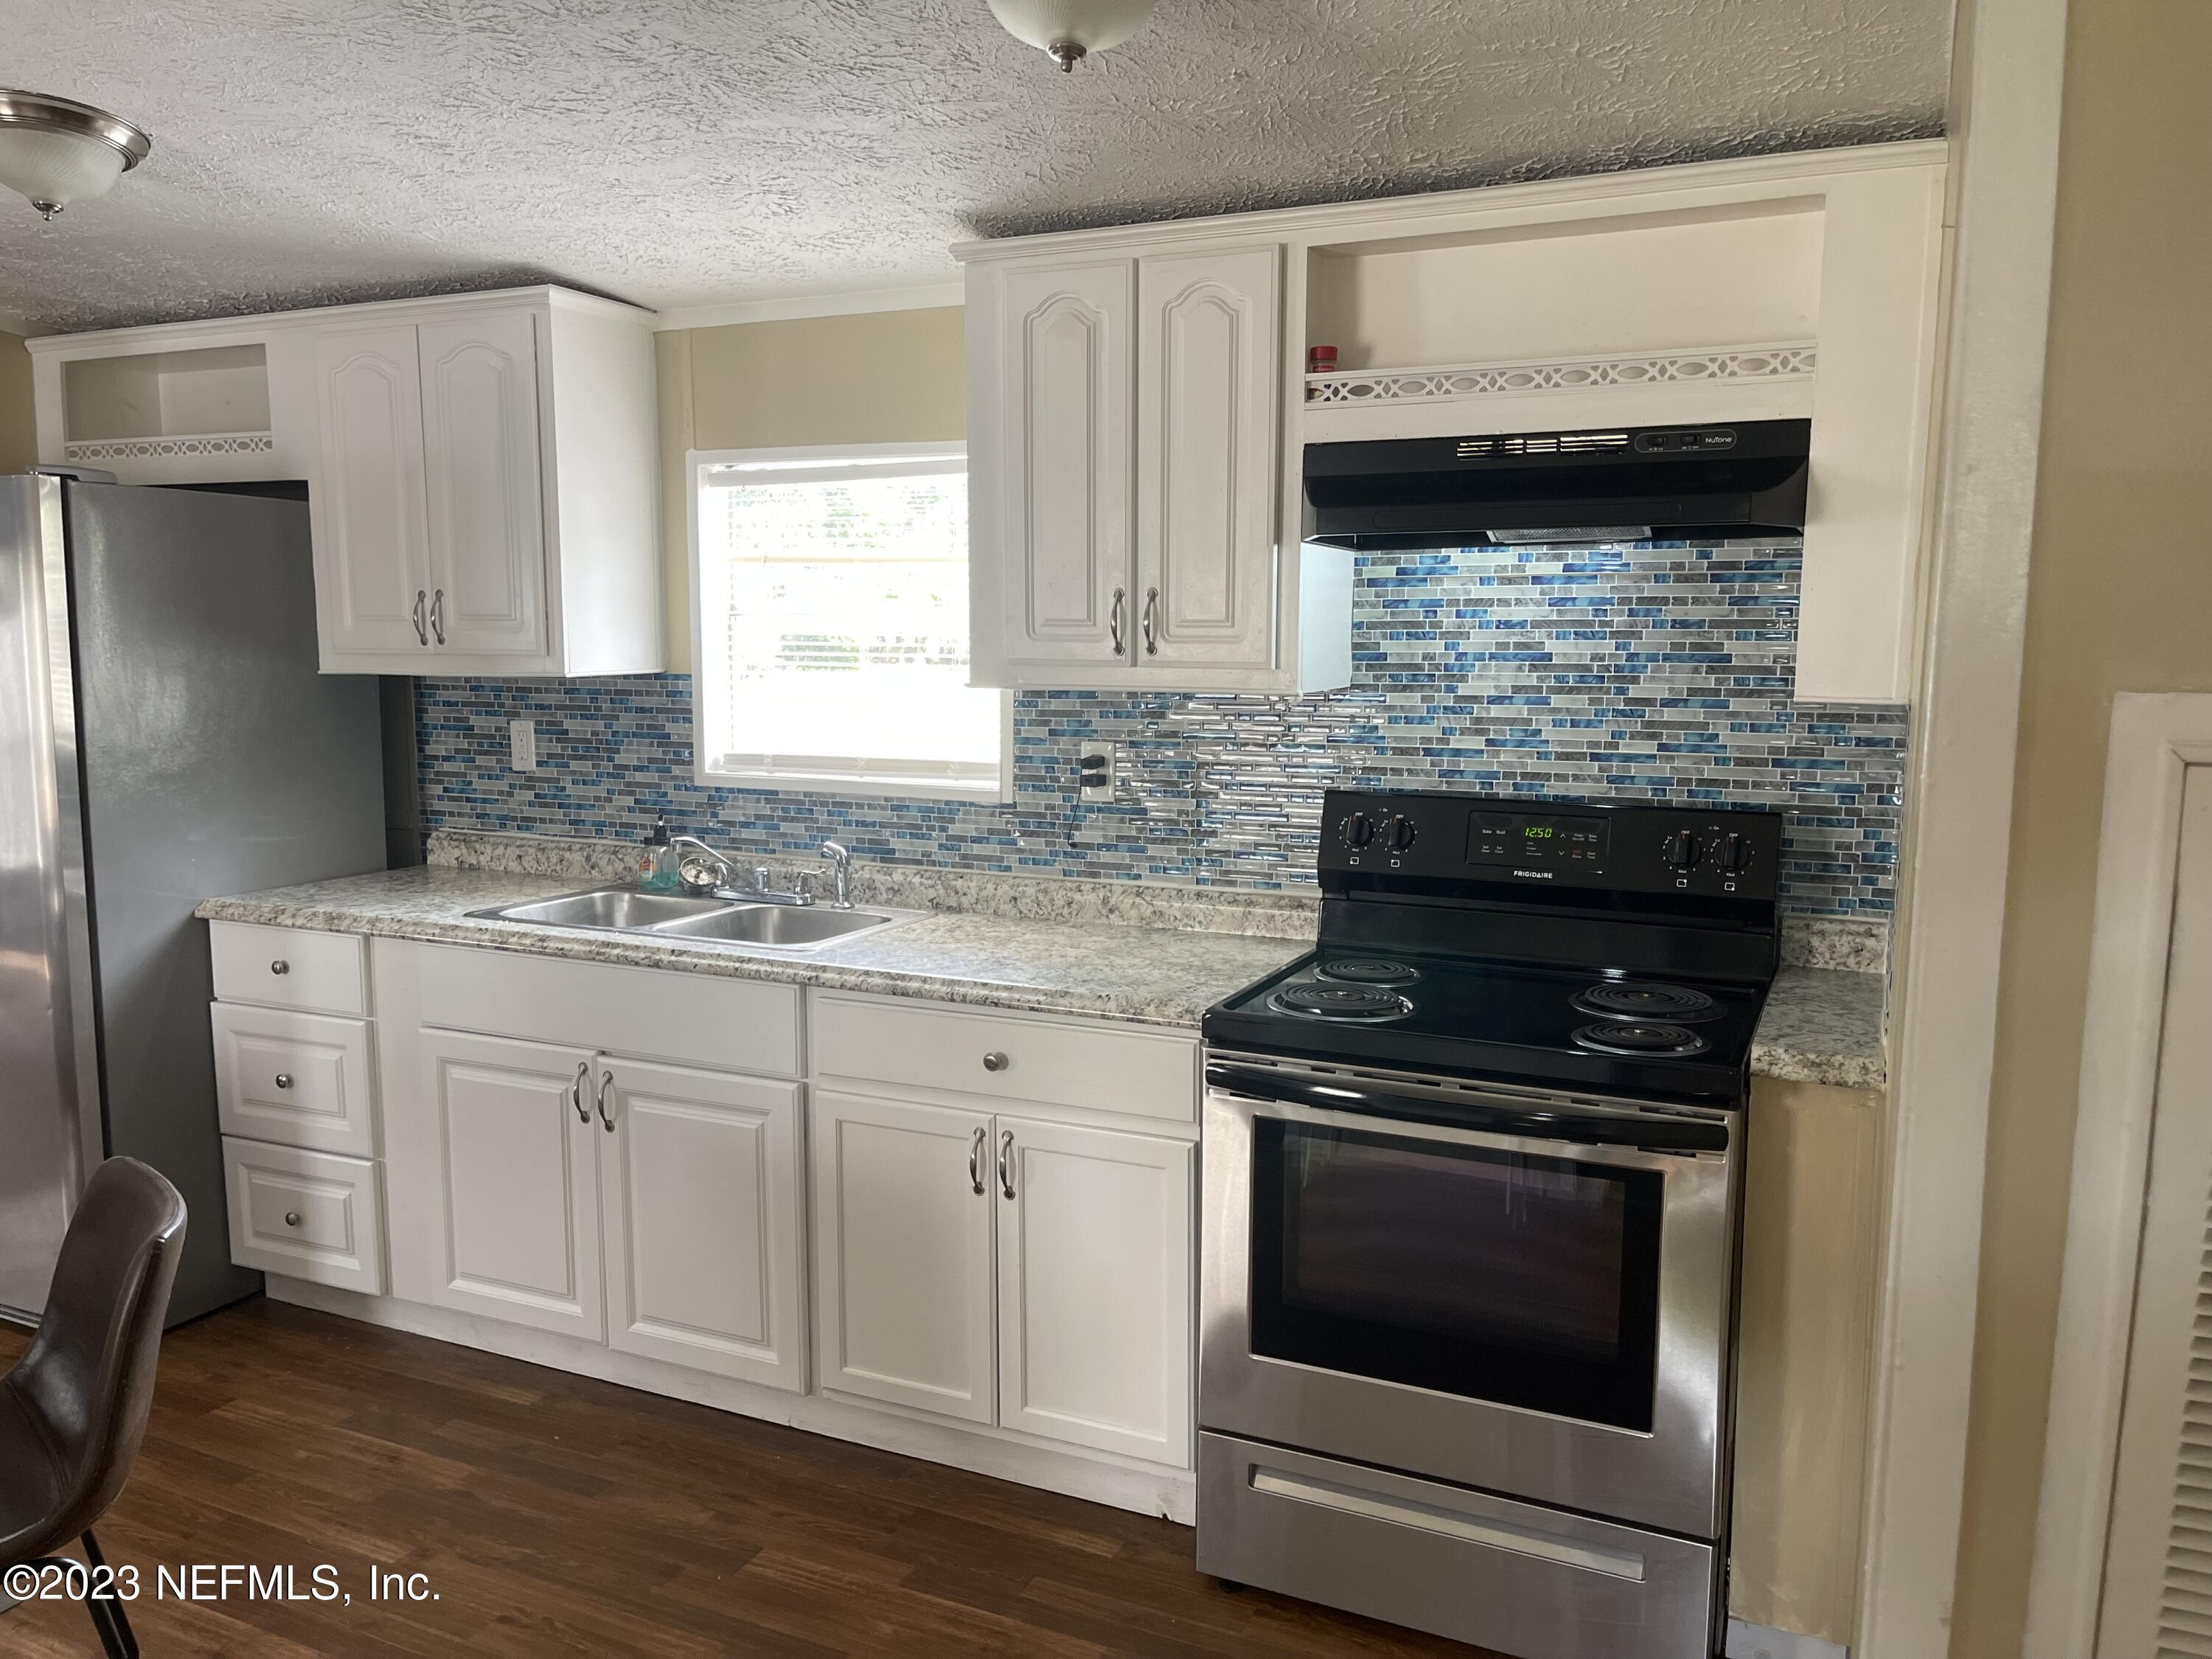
x=884 y=377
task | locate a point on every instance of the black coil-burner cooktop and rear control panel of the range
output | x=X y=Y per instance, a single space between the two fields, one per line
x=1587 y=963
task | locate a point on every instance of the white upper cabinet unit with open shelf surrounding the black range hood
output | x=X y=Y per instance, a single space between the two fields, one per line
x=1140 y=406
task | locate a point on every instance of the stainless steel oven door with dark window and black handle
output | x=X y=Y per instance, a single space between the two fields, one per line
x=1503 y=1291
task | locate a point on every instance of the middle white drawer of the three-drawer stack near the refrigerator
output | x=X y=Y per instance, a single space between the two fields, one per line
x=295 y=1078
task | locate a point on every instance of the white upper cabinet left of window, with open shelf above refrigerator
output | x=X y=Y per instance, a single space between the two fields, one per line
x=483 y=470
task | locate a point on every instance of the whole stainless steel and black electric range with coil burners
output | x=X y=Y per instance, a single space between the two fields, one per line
x=1470 y=1238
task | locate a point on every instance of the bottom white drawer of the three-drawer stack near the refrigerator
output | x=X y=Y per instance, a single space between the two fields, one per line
x=306 y=1215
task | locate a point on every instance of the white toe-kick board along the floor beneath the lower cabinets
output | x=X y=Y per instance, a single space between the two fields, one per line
x=1103 y=1479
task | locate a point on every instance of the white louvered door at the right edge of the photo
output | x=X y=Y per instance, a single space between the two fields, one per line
x=2158 y=1578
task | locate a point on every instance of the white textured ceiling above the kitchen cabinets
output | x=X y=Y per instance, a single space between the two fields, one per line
x=702 y=152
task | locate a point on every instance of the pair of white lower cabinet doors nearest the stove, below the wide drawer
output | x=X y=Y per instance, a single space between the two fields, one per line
x=1008 y=1271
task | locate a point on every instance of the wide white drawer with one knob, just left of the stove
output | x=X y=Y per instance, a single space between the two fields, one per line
x=1098 y=1067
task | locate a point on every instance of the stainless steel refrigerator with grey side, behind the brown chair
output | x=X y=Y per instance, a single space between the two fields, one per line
x=165 y=738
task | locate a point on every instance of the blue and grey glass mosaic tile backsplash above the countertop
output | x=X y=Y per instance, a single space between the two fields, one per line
x=1649 y=671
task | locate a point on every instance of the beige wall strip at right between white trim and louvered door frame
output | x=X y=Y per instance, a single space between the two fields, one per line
x=2120 y=598
